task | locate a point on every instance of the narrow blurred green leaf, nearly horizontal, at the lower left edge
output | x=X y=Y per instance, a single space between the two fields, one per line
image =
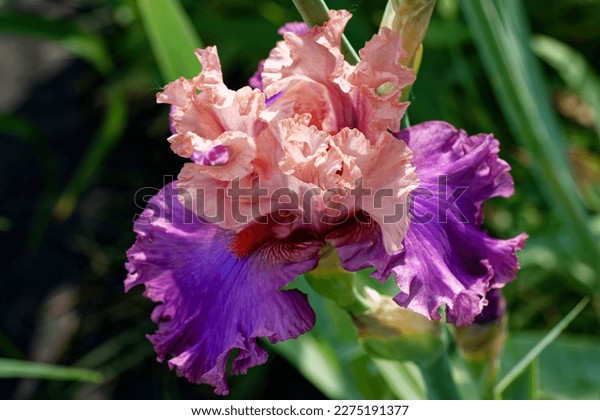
x=10 y=368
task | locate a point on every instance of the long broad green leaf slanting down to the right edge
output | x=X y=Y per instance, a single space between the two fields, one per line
x=501 y=35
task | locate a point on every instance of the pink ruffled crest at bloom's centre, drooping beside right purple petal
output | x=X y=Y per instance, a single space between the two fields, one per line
x=347 y=161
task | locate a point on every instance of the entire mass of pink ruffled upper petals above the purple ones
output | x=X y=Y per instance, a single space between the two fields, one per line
x=317 y=132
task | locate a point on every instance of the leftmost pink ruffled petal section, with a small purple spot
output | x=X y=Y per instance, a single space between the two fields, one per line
x=211 y=120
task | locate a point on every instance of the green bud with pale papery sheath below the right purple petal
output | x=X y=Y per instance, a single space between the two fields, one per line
x=389 y=331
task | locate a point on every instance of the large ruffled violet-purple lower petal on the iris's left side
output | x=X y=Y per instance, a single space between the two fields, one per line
x=210 y=300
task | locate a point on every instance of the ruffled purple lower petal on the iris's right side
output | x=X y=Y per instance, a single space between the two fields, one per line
x=447 y=260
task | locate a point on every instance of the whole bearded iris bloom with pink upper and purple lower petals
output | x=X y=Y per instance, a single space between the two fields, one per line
x=308 y=160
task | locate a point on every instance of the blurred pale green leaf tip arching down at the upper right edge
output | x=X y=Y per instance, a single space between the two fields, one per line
x=572 y=67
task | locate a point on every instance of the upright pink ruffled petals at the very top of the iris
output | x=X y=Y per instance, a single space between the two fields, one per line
x=311 y=74
